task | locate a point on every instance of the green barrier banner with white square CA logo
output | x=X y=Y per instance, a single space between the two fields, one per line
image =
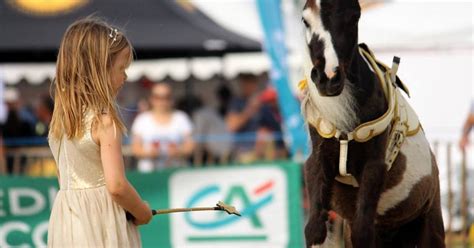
x=268 y=195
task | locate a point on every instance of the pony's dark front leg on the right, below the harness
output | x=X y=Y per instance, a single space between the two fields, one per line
x=371 y=187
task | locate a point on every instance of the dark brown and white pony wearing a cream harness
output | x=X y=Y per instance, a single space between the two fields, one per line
x=370 y=160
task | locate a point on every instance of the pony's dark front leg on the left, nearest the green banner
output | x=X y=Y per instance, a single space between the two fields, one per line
x=319 y=181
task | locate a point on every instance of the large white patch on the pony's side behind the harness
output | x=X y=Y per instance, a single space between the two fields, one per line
x=418 y=165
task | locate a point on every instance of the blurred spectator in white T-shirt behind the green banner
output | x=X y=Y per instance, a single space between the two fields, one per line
x=162 y=136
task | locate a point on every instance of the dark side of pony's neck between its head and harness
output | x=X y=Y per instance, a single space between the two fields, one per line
x=369 y=93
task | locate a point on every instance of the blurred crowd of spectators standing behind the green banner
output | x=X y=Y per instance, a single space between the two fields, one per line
x=245 y=126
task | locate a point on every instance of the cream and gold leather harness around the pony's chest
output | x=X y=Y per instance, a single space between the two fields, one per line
x=400 y=117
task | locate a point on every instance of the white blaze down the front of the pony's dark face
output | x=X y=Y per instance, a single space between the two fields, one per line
x=316 y=27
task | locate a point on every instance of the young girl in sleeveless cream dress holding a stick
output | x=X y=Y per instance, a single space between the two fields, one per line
x=85 y=138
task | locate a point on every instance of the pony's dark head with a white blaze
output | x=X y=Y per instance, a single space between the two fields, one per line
x=331 y=37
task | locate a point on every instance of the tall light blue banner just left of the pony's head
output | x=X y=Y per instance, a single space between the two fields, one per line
x=272 y=23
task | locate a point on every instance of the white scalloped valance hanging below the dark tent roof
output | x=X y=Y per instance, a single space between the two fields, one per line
x=177 y=69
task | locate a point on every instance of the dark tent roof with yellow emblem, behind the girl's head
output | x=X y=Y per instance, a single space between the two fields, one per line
x=157 y=29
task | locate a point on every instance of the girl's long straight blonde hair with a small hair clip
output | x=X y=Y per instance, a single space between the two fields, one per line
x=83 y=81
